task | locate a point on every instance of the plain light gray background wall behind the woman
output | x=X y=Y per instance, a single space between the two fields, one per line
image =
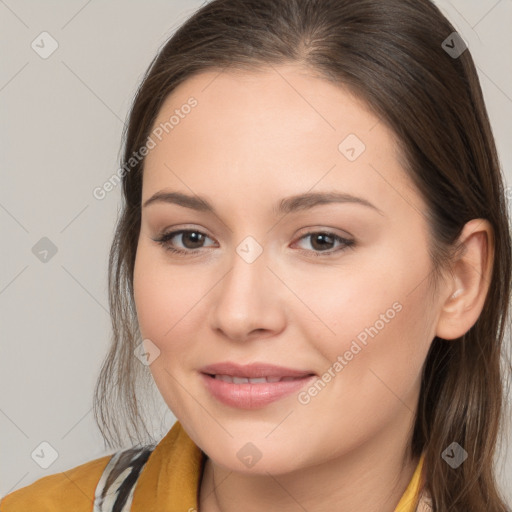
x=62 y=138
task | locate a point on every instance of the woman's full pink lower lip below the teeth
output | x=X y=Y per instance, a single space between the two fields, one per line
x=253 y=396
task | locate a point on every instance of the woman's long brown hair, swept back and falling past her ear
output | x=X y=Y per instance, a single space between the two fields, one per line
x=389 y=53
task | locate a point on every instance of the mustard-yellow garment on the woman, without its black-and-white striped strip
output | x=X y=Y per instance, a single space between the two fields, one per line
x=169 y=481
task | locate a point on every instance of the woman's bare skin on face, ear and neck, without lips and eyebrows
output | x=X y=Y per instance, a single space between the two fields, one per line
x=253 y=139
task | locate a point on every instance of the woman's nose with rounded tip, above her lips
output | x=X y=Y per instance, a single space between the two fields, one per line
x=248 y=302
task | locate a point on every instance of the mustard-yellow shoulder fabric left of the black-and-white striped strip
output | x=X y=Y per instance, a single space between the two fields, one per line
x=73 y=489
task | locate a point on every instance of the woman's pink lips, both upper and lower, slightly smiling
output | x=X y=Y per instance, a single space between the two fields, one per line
x=252 y=395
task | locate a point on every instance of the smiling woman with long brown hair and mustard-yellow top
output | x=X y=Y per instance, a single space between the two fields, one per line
x=313 y=262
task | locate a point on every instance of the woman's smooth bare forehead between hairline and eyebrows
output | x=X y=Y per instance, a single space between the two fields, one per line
x=280 y=128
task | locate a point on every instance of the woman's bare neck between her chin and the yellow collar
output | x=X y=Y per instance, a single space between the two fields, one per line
x=371 y=478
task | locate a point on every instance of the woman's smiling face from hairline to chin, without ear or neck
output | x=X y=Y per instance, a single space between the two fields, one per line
x=265 y=280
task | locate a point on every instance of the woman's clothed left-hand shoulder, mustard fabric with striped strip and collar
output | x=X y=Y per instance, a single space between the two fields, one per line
x=109 y=483
